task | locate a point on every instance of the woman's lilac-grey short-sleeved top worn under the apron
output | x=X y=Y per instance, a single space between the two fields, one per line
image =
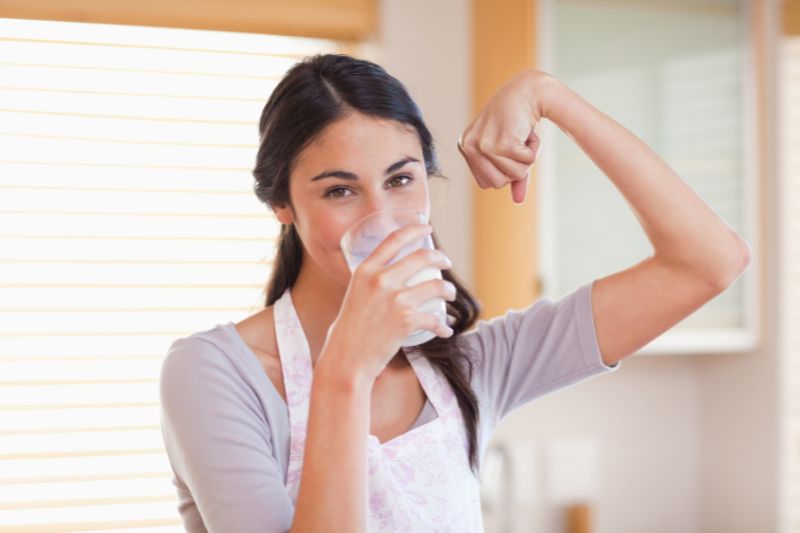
x=226 y=427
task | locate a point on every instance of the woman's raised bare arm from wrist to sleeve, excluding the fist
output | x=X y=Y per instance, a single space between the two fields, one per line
x=696 y=253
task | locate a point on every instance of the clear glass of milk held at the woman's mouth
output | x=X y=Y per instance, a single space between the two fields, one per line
x=366 y=234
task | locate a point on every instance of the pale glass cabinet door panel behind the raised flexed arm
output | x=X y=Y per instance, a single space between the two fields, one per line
x=676 y=75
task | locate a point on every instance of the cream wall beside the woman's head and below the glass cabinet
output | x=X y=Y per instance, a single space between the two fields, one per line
x=684 y=444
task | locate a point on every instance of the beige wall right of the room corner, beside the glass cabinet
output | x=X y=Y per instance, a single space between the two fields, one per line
x=740 y=402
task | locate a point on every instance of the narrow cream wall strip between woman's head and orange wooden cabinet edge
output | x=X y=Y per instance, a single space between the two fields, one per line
x=426 y=45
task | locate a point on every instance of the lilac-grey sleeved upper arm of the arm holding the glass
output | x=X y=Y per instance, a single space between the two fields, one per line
x=218 y=441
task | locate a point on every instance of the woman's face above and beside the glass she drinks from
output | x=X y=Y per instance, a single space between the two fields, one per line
x=356 y=166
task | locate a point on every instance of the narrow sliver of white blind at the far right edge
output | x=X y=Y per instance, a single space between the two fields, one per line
x=789 y=109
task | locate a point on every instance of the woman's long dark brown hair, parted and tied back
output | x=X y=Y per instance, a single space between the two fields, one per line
x=313 y=94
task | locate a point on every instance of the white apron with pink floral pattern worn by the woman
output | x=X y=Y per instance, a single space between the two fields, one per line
x=418 y=481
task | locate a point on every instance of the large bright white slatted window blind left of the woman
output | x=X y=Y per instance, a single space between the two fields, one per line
x=127 y=219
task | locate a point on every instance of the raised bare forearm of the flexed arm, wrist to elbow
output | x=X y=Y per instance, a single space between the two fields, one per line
x=683 y=229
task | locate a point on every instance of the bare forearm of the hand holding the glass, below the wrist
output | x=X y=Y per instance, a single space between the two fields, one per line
x=333 y=482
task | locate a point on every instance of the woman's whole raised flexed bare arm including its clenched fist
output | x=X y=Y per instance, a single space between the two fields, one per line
x=696 y=254
